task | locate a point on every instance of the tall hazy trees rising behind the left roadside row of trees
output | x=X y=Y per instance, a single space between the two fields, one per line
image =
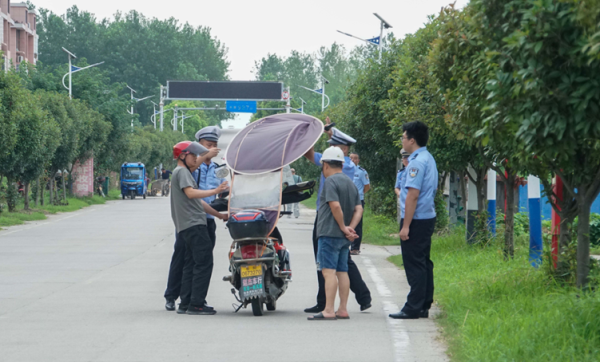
x=139 y=51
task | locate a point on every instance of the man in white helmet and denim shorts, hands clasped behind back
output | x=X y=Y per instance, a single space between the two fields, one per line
x=340 y=210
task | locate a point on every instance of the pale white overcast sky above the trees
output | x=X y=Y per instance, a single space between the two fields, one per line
x=252 y=29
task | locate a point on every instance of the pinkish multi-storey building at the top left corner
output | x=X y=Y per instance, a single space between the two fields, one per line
x=18 y=34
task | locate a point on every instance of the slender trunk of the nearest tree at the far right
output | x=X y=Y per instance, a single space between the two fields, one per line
x=583 y=241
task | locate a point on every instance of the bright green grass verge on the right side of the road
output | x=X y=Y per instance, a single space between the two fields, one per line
x=496 y=310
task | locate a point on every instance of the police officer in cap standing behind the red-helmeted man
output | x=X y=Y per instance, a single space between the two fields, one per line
x=207 y=180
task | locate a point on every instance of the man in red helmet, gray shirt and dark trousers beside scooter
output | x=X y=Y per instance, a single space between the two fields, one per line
x=189 y=217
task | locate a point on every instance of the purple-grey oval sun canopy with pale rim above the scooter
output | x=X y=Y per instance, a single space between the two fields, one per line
x=272 y=142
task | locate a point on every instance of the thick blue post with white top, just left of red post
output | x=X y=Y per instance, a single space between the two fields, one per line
x=535 y=221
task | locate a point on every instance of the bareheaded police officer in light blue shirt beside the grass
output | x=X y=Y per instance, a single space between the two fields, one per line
x=418 y=189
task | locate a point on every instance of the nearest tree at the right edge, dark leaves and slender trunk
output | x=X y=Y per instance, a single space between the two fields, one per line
x=548 y=86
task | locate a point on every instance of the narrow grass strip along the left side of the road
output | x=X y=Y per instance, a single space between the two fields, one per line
x=39 y=212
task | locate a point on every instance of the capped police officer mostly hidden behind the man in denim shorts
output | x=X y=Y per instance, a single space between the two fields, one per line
x=357 y=284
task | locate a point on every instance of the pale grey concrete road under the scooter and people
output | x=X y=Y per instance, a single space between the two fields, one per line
x=88 y=286
